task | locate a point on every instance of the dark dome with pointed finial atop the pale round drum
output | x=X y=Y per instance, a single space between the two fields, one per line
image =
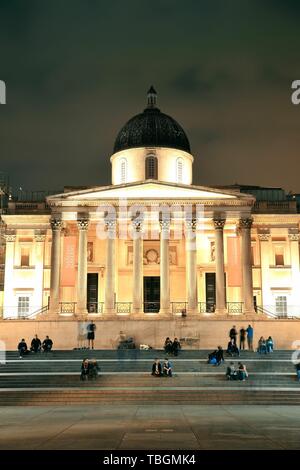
x=152 y=128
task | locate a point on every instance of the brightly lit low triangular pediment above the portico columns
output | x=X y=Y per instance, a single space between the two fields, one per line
x=149 y=190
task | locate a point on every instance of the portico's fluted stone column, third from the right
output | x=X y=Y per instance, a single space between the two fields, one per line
x=191 y=266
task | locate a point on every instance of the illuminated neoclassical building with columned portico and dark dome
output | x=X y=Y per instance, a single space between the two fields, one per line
x=152 y=243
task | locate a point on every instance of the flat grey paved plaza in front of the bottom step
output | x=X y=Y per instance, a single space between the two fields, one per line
x=150 y=427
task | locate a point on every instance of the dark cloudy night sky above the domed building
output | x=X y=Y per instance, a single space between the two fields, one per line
x=77 y=70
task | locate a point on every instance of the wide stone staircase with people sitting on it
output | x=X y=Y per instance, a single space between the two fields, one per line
x=54 y=379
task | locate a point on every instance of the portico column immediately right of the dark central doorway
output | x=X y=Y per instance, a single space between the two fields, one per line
x=164 y=268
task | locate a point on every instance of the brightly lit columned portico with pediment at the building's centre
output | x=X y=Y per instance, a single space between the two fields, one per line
x=173 y=248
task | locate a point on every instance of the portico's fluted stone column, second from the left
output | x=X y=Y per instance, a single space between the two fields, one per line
x=82 y=266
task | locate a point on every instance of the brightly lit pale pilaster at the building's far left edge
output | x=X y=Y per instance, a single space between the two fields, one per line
x=10 y=304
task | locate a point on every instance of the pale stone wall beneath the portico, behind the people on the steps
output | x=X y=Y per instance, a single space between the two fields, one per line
x=205 y=334
